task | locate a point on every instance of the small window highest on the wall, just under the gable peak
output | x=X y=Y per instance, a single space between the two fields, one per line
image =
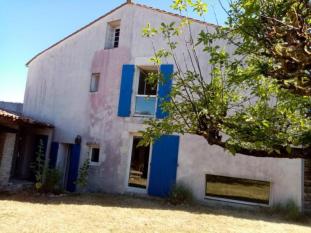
x=113 y=35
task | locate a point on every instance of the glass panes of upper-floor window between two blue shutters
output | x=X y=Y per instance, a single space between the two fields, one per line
x=146 y=98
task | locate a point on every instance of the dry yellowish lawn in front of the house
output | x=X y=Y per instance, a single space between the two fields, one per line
x=115 y=213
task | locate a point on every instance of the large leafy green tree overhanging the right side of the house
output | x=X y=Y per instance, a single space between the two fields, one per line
x=246 y=105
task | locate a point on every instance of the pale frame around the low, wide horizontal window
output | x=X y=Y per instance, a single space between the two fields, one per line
x=231 y=200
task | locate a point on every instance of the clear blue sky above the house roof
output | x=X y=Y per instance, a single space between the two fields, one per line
x=30 y=26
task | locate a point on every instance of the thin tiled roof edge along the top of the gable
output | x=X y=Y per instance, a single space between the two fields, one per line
x=110 y=12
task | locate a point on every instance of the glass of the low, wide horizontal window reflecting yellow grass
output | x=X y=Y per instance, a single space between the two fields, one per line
x=238 y=189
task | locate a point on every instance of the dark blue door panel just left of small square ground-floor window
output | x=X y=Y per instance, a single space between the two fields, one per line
x=73 y=170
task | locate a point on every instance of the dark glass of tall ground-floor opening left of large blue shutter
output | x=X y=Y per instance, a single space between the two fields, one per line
x=139 y=165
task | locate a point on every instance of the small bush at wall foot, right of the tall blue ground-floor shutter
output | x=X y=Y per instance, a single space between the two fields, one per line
x=180 y=194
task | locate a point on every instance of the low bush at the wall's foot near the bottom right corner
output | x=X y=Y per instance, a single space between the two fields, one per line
x=289 y=210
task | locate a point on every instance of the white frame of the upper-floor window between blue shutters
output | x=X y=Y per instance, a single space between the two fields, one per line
x=138 y=69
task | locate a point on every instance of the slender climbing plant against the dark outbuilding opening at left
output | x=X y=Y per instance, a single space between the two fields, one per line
x=38 y=165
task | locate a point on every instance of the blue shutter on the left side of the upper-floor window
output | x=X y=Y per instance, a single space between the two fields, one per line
x=126 y=90
